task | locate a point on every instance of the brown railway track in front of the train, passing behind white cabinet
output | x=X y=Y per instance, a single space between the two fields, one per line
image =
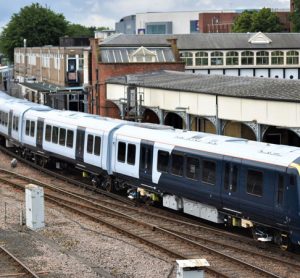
x=166 y=234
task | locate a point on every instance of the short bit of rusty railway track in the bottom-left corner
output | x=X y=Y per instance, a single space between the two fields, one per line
x=10 y=266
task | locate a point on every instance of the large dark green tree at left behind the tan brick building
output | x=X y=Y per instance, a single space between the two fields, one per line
x=38 y=25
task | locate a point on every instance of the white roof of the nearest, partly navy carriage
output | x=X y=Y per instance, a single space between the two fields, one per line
x=216 y=145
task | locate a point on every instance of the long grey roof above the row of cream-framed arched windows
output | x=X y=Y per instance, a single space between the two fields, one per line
x=207 y=41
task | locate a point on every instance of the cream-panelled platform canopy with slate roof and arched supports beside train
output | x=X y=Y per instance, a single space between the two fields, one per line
x=262 y=109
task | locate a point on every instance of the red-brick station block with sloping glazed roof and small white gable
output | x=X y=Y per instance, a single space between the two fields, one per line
x=115 y=60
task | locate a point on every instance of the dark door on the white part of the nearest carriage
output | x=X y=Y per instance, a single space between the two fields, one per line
x=146 y=162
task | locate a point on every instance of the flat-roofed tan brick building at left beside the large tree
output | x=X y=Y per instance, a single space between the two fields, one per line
x=53 y=75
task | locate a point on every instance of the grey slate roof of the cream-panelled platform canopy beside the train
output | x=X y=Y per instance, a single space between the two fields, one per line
x=244 y=87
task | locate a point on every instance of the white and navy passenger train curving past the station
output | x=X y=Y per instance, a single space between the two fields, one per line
x=218 y=178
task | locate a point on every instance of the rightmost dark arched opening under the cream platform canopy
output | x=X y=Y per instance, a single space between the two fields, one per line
x=281 y=136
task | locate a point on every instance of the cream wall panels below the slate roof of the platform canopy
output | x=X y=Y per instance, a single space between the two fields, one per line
x=276 y=113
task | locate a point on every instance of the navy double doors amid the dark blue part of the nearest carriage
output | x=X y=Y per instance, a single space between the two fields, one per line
x=230 y=189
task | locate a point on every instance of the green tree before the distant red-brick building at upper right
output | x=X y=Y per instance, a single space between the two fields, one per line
x=254 y=21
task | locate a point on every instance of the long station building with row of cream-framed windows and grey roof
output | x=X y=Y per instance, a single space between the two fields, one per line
x=274 y=55
